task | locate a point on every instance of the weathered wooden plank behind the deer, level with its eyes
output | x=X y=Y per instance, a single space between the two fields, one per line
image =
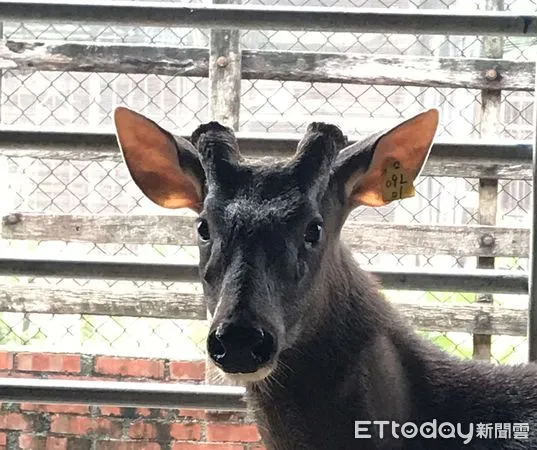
x=471 y=240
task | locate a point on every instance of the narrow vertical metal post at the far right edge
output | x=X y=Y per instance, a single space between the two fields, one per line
x=532 y=270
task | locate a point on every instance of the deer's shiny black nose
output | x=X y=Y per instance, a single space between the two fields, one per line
x=240 y=349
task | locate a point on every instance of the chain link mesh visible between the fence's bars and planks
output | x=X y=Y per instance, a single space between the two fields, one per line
x=69 y=100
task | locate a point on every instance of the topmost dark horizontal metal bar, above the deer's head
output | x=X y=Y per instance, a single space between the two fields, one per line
x=274 y=18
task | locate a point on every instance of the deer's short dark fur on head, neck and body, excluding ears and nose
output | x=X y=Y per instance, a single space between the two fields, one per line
x=343 y=352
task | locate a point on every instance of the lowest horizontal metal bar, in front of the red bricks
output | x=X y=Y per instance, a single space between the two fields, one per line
x=121 y=393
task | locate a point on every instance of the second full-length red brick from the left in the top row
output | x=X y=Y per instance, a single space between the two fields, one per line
x=144 y=368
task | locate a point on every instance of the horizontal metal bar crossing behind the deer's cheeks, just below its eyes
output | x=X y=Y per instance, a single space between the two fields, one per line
x=493 y=281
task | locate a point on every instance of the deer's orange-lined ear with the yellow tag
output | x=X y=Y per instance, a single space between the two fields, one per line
x=384 y=170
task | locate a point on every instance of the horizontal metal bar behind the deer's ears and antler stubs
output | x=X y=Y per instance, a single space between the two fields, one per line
x=252 y=144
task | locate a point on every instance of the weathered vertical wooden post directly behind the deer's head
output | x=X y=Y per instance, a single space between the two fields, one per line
x=224 y=106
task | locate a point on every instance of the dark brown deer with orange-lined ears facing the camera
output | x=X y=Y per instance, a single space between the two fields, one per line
x=327 y=362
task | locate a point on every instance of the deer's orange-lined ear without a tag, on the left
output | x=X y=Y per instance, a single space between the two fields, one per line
x=166 y=169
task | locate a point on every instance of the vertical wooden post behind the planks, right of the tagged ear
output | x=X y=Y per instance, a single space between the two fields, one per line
x=488 y=188
